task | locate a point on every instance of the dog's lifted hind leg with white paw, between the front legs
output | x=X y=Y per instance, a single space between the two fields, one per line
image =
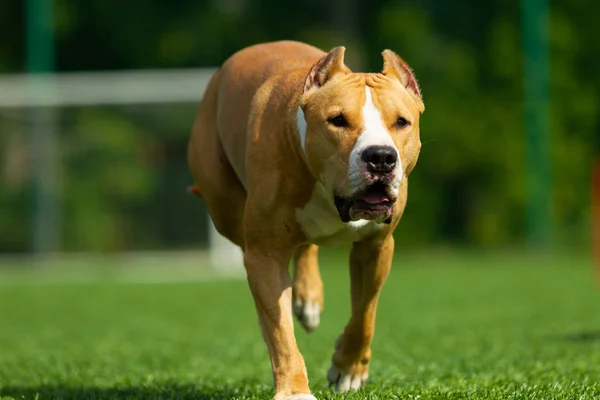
x=307 y=287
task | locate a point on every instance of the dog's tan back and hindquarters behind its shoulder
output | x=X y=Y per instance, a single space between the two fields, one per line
x=217 y=150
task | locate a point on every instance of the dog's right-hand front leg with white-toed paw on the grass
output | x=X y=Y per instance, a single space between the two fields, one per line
x=370 y=263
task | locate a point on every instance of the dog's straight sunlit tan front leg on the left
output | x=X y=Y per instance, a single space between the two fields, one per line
x=271 y=287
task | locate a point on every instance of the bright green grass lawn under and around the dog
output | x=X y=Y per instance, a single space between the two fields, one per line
x=449 y=326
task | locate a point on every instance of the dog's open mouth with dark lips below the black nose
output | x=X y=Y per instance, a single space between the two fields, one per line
x=373 y=203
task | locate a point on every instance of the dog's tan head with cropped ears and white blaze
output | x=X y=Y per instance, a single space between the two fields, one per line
x=360 y=132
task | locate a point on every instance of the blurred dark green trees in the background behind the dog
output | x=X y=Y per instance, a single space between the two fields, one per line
x=123 y=168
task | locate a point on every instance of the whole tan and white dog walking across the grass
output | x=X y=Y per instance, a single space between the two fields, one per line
x=291 y=150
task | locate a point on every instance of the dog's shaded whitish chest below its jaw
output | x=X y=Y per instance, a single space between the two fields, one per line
x=321 y=223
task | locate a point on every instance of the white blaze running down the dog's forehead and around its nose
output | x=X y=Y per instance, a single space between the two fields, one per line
x=374 y=134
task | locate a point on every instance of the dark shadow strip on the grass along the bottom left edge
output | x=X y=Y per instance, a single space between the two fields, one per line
x=158 y=392
